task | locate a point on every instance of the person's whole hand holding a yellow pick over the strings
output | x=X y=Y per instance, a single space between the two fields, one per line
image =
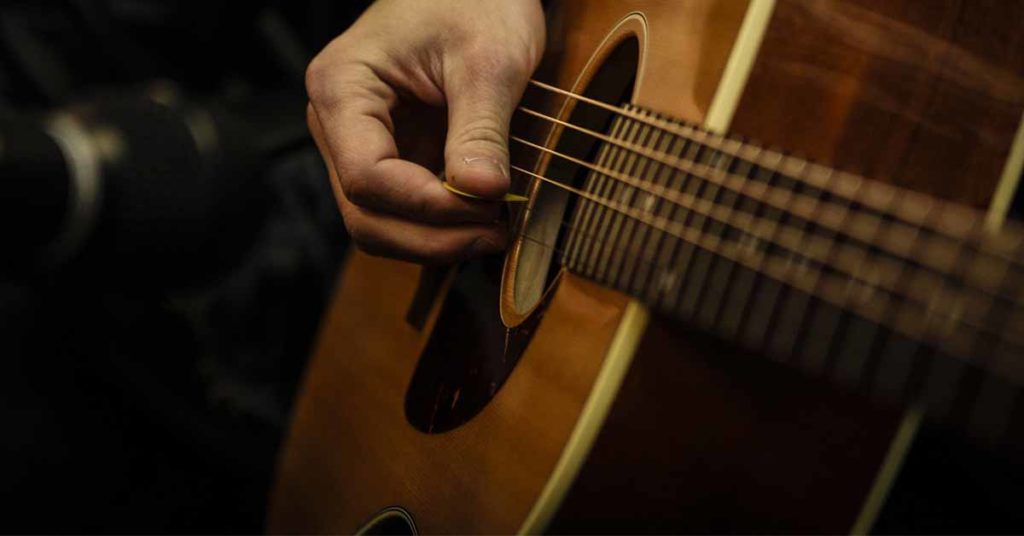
x=380 y=97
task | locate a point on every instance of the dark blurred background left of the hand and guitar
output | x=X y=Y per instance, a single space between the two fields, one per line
x=169 y=242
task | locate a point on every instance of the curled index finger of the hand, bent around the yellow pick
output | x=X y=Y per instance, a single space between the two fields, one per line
x=355 y=126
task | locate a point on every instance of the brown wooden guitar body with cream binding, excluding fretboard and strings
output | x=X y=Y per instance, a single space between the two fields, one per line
x=605 y=417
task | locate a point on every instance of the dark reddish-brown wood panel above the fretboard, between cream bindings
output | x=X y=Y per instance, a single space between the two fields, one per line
x=924 y=95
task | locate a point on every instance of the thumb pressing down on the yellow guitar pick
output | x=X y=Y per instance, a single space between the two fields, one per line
x=477 y=155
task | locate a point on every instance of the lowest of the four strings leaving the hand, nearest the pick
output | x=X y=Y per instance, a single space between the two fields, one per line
x=826 y=287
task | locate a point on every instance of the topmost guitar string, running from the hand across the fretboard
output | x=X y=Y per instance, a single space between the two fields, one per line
x=860 y=194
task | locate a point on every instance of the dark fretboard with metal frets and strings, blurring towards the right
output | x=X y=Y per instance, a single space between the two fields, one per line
x=879 y=288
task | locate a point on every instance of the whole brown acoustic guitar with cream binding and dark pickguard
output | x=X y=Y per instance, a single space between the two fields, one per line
x=764 y=242
